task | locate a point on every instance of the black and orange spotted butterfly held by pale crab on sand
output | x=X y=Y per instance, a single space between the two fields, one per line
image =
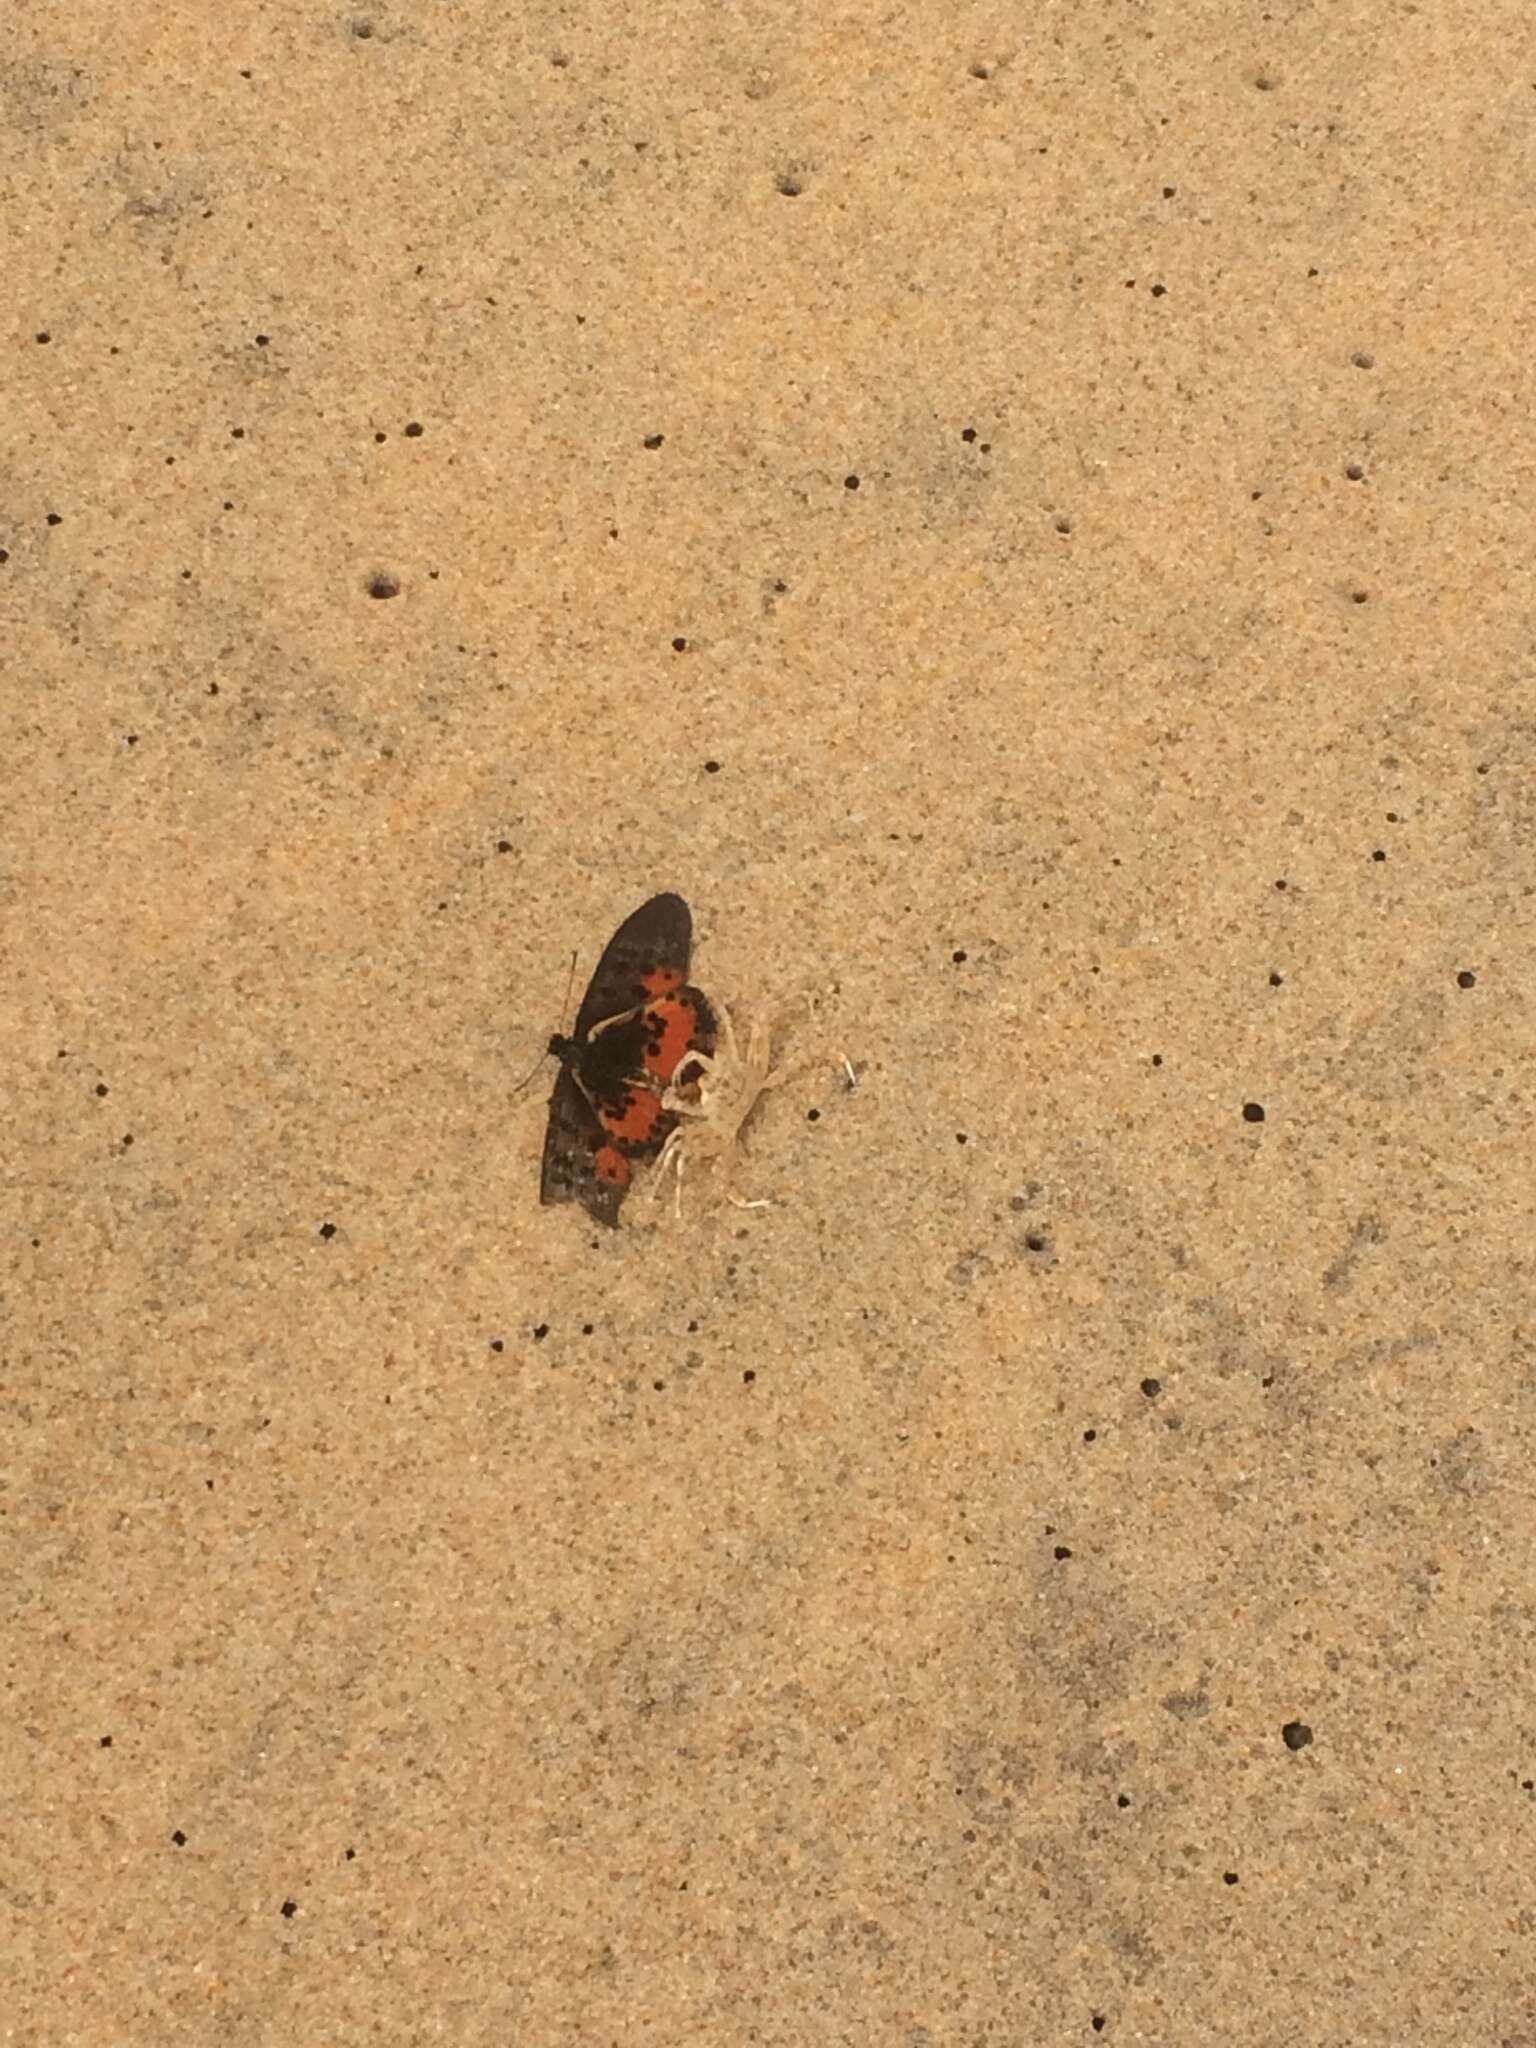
x=638 y=1025
